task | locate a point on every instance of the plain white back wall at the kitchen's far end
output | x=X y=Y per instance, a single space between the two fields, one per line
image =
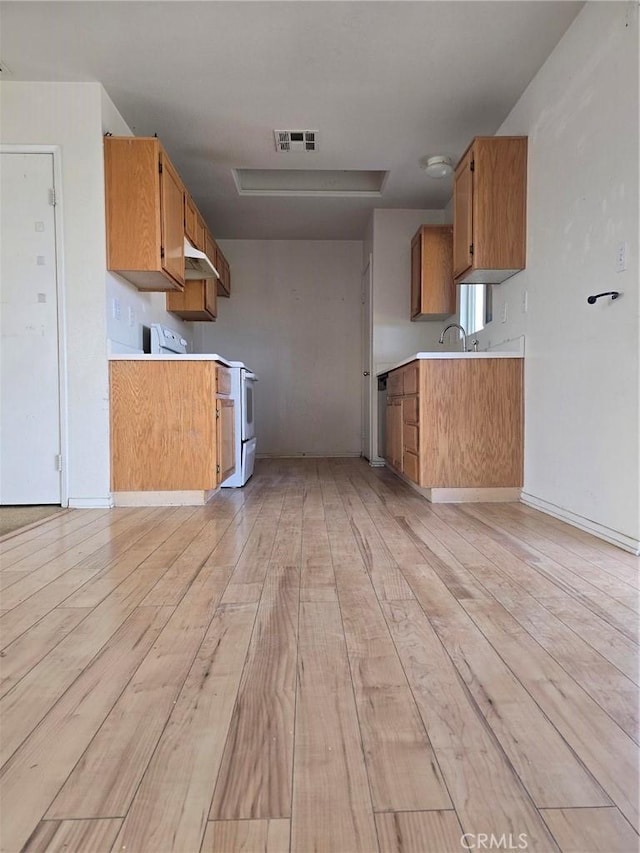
x=294 y=318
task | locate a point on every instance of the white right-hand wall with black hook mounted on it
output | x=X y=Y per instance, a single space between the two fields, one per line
x=580 y=112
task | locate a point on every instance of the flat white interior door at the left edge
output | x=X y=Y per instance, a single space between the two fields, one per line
x=29 y=371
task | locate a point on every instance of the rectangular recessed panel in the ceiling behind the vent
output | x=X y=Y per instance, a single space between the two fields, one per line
x=310 y=182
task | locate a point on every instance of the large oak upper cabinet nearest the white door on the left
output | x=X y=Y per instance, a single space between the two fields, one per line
x=144 y=214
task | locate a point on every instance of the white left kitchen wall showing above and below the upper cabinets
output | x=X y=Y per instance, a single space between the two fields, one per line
x=137 y=308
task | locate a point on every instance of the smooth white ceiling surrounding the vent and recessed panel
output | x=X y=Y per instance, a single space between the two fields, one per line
x=384 y=83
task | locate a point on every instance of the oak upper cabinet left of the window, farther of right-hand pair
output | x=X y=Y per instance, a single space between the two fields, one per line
x=432 y=287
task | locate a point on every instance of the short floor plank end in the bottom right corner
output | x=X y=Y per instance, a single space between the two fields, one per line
x=591 y=830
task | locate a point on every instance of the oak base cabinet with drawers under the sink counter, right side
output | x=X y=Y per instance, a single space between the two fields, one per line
x=457 y=423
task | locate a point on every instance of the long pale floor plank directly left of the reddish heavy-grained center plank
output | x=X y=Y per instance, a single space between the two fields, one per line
x=170 y=808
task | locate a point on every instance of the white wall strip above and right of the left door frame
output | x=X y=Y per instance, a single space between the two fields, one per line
x=69 y=115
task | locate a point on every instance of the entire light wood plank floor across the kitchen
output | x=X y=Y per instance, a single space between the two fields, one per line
x=321 y=661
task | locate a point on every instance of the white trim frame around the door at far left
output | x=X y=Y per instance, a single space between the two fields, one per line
x=63 y=409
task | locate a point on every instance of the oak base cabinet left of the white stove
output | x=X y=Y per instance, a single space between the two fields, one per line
x=171 y=429
